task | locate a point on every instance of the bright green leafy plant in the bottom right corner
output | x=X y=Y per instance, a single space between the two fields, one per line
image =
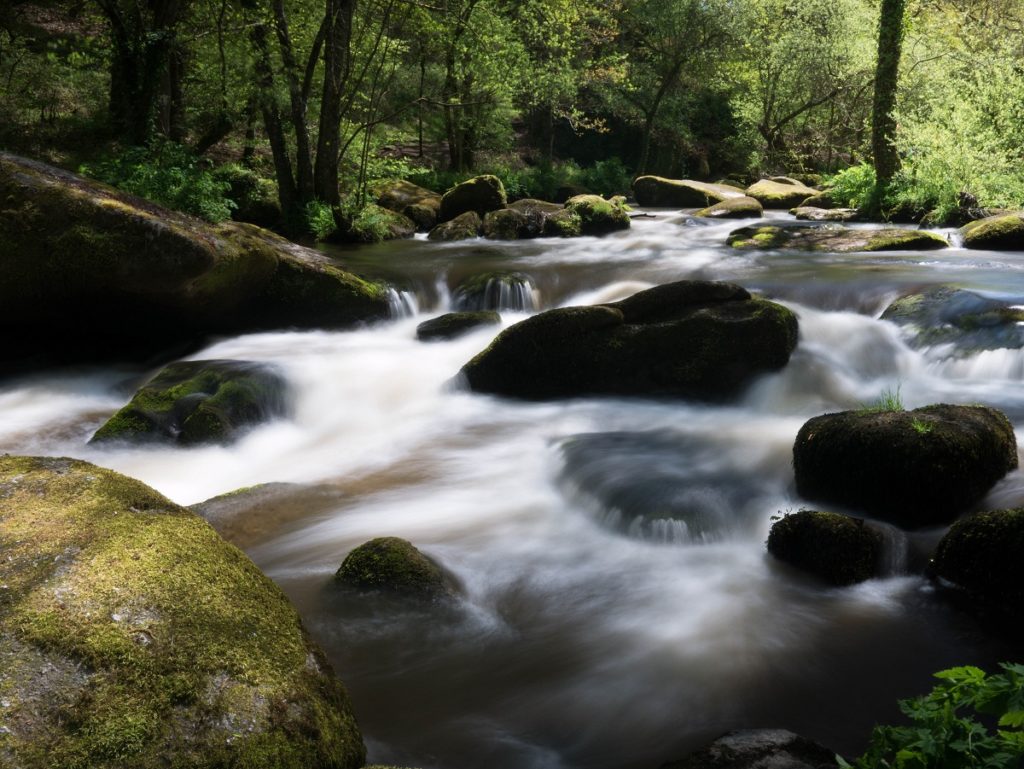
x=946 y=733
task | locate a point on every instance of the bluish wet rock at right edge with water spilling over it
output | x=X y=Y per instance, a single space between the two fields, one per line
x=949 y=315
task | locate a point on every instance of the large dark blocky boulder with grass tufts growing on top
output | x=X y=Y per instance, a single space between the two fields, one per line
x=913 y=468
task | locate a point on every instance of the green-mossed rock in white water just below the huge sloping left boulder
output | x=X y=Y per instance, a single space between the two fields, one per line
x=199 y=402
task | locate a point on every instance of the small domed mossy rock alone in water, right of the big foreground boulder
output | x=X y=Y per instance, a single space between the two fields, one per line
x=394 y=566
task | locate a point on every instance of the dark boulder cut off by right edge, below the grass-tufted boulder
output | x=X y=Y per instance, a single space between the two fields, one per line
x=982 y=558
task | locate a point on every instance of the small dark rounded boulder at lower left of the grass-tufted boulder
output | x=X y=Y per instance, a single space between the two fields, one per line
x=835 y=548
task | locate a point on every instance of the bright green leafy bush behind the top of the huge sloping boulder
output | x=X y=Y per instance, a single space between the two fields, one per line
x=168 y=175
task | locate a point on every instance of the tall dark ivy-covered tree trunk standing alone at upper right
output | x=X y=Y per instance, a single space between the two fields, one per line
x=884 y=108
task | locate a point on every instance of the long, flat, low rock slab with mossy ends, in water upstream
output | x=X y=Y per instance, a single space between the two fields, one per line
x=835 y=239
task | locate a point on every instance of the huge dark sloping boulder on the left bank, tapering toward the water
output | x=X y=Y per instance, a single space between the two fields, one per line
x=90 y=272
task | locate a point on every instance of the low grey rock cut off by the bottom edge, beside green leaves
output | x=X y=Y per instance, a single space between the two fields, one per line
x=759 y=749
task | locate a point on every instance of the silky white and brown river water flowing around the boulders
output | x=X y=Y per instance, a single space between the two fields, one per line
x=619 y=605
